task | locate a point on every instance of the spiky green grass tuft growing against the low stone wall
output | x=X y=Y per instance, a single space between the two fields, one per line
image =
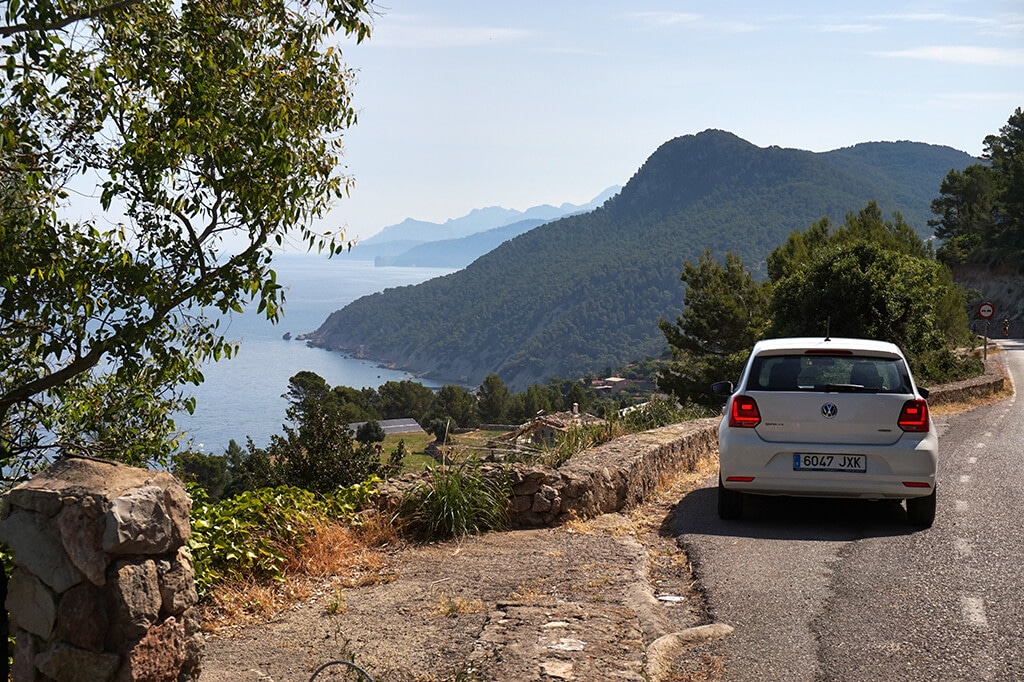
x=456 y=501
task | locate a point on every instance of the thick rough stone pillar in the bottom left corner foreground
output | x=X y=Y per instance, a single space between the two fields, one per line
x=104 y=587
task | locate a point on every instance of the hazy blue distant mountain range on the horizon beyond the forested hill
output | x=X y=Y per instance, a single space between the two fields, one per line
x=459 y=242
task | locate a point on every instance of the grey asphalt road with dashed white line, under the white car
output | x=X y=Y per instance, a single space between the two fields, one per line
x=844 y=590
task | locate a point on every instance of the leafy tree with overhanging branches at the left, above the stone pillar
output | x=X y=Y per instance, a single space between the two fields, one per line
x=206 y=132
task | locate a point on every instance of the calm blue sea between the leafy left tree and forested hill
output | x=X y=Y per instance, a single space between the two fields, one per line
x=243 y=397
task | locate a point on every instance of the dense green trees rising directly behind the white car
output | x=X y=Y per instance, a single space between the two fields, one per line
x=870 y=278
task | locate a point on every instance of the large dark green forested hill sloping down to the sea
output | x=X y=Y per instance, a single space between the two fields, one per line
x=585 y=293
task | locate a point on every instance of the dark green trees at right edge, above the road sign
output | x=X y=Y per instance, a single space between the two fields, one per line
x=980 y=210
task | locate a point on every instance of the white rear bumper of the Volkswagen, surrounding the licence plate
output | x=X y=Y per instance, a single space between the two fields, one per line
x=914 y=460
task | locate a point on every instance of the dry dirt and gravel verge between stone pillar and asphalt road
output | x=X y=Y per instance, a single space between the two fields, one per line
x=583 y=602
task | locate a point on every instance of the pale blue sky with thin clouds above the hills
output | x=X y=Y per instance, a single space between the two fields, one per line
x=470 y=104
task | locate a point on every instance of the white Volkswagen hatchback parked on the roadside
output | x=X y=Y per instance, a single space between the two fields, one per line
x=828 y=418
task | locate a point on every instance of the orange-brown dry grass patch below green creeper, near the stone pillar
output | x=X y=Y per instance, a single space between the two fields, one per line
x=336 y=557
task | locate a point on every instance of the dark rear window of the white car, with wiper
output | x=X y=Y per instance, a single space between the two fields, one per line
x=829 y=373
